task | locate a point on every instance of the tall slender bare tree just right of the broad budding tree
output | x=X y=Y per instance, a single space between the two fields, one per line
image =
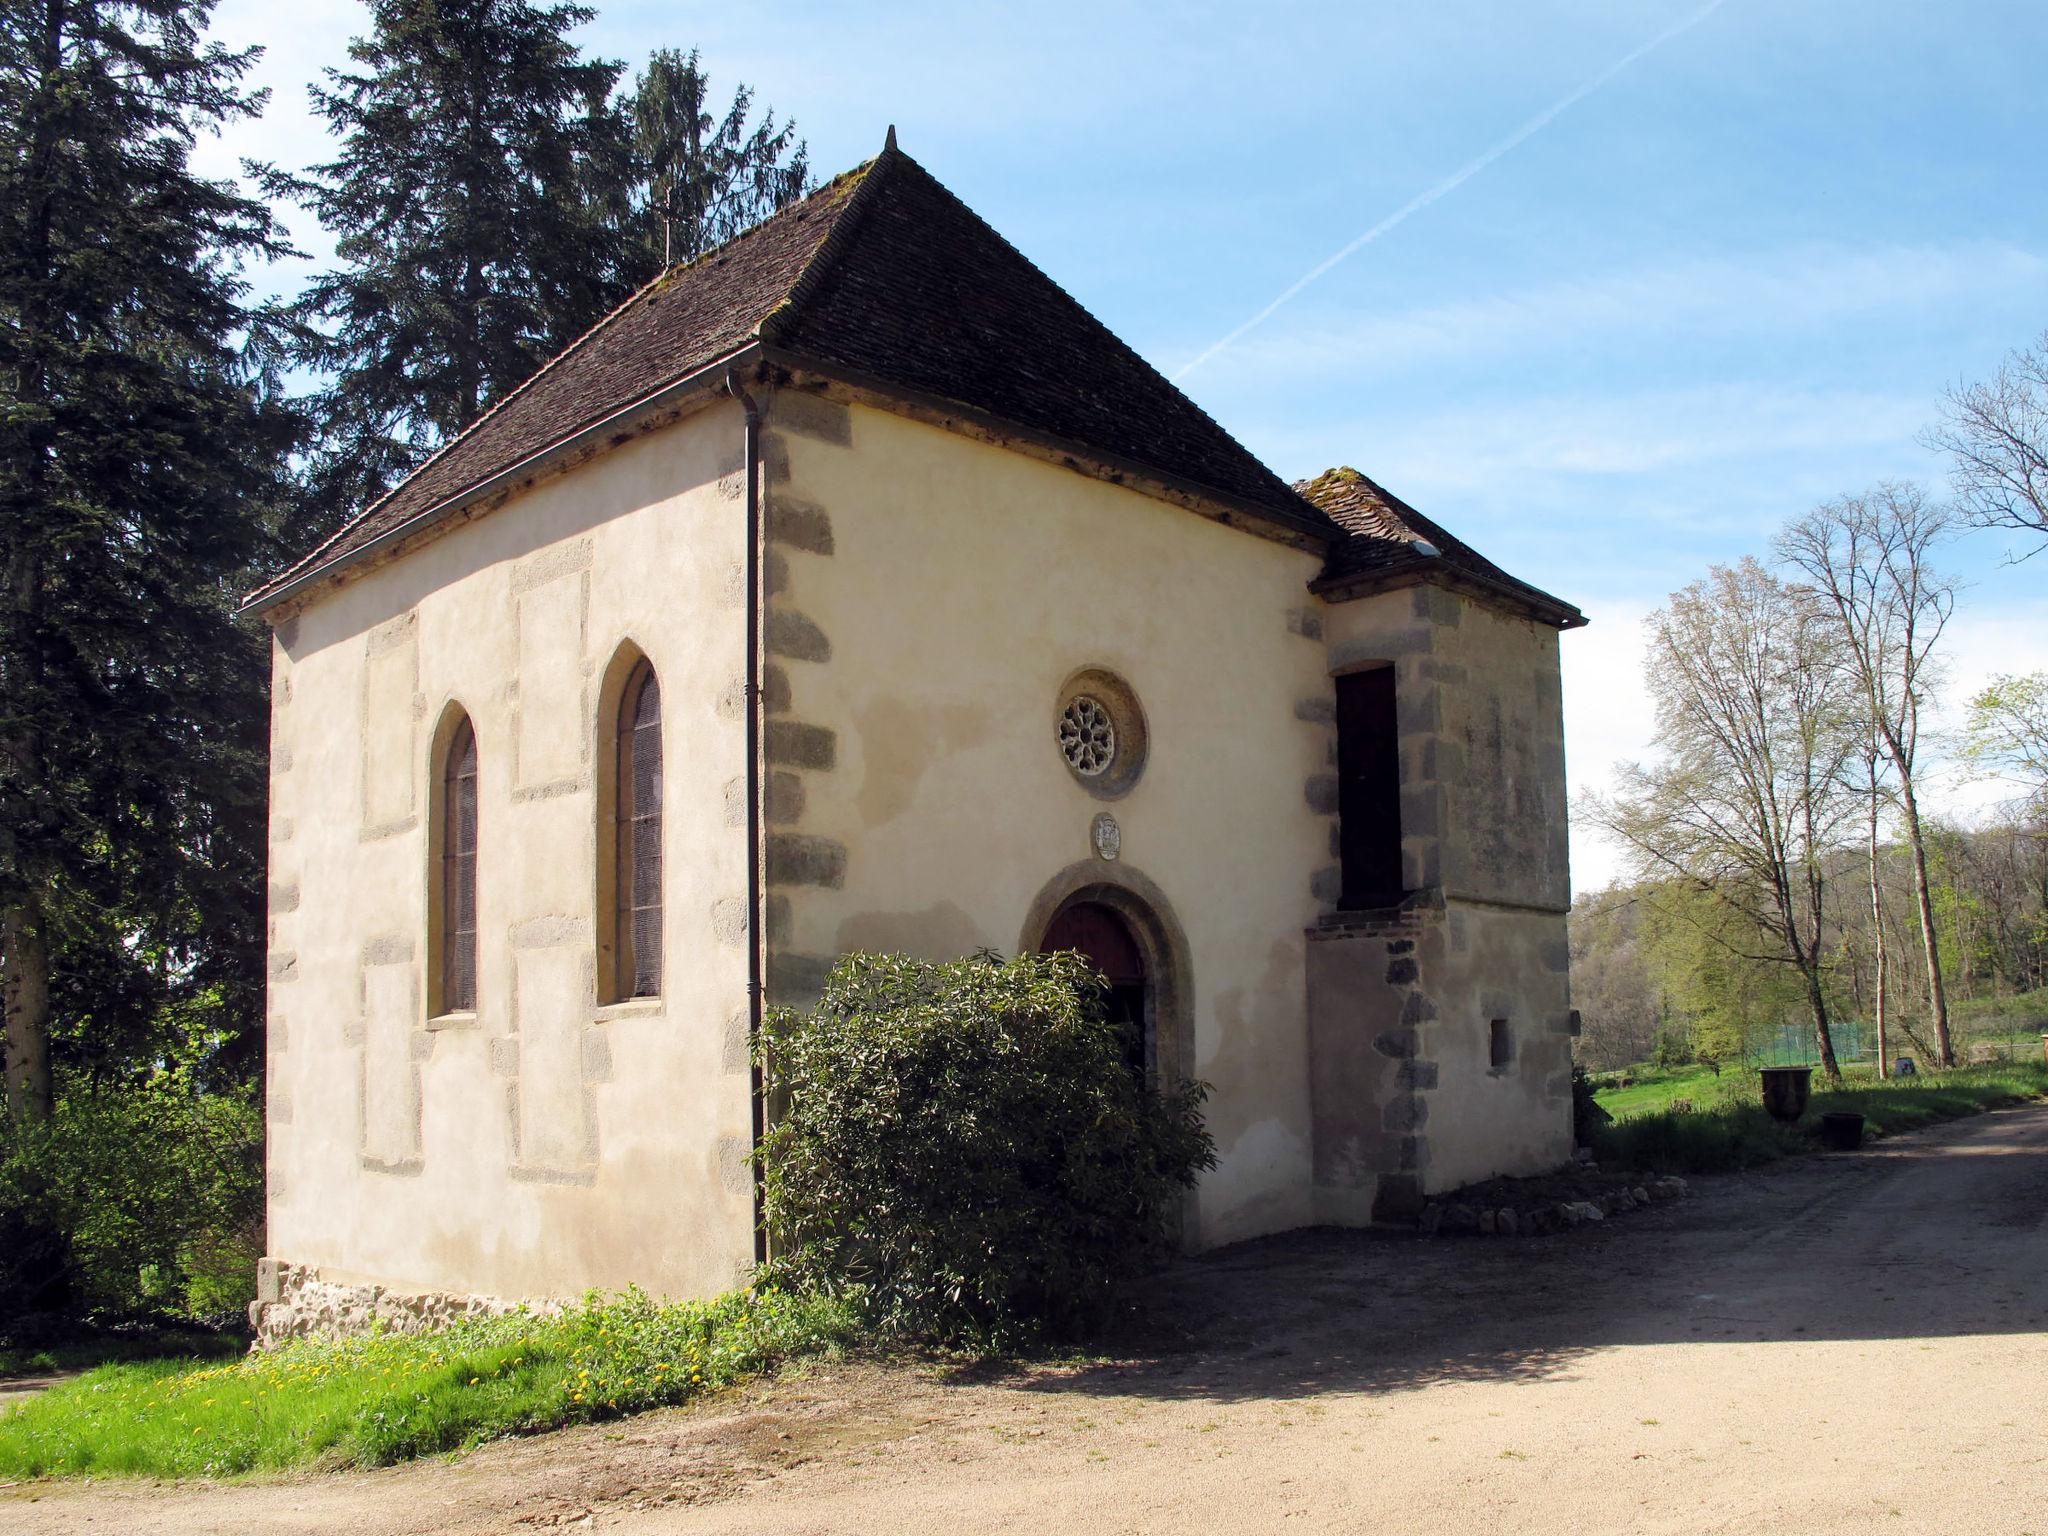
x=1869 y=560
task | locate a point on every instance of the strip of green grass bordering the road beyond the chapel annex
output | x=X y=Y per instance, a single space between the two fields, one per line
x=1727 y=1127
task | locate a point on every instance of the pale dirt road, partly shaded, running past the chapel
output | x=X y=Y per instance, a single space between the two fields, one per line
x=1836 y=1347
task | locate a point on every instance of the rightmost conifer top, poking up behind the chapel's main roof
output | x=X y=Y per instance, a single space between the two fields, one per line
x=706 y=179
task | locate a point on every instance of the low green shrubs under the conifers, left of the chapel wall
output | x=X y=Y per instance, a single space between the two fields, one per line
x=134 y=1203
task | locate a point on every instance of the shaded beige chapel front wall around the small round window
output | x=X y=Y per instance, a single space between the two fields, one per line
x=966 y=585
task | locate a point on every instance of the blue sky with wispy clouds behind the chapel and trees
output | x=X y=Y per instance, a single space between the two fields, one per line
x=1727 y=284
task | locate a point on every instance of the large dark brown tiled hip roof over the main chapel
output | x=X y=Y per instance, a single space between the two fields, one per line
x=880 y=273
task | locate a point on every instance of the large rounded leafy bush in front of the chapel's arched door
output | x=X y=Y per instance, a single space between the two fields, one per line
x=964 y=1148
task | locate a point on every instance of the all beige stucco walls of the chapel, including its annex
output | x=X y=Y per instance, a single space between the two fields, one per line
x=929 y=597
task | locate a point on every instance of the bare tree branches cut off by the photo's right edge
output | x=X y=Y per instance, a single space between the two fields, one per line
x=1998 y=437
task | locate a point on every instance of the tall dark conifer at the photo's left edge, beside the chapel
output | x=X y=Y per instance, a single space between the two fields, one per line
x=140 y=454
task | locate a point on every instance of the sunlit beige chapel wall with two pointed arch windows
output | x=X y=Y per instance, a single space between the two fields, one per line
x=548 y=1144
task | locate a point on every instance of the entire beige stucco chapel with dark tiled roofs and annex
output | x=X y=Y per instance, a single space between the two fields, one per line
x=853 y=589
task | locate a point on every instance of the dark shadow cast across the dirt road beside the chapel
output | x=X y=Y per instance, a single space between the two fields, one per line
x=1940 y=1234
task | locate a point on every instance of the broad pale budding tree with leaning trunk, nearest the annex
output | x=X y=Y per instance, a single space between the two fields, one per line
x=1750 y=798
